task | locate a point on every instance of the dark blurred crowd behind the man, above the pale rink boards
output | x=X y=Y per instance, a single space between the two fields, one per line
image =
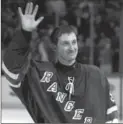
x=96 y=23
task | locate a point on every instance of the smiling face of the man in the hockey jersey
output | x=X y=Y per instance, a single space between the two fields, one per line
x=67 y=47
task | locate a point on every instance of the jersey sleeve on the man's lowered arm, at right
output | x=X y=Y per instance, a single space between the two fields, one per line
x=111 y=109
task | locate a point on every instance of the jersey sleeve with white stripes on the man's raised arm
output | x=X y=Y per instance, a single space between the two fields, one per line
x=15 y=60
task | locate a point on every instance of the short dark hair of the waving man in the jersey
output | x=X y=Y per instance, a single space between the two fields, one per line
x=58 y=31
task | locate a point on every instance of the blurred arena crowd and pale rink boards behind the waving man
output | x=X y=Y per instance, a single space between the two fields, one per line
x=99 y=35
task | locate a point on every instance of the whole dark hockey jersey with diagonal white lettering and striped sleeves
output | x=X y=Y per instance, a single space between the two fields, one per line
x=54 y=93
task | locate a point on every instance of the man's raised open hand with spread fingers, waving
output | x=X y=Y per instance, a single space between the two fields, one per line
x=28 y=21
